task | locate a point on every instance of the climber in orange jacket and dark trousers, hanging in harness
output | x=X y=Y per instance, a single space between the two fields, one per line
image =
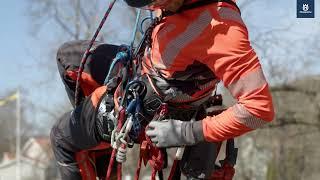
x=196 y=44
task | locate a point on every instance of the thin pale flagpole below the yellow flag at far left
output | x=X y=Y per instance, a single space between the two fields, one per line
x=18 y=138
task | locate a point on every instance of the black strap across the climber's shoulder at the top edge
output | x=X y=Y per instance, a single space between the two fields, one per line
x=199 y=4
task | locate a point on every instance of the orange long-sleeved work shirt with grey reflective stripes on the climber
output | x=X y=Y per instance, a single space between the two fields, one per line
x=193 y=50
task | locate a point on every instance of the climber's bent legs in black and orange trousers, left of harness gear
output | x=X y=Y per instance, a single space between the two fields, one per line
x=77 y=130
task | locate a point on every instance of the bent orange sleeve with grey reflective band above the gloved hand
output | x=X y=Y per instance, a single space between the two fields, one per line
x=234 y=61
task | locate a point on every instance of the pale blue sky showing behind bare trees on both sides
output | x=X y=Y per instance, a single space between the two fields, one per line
x=19 y=49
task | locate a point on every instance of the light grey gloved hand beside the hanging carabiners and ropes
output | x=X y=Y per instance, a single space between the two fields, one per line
x=175 y=133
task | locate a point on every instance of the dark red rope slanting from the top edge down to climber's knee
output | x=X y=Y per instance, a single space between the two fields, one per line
x=86 y=54
